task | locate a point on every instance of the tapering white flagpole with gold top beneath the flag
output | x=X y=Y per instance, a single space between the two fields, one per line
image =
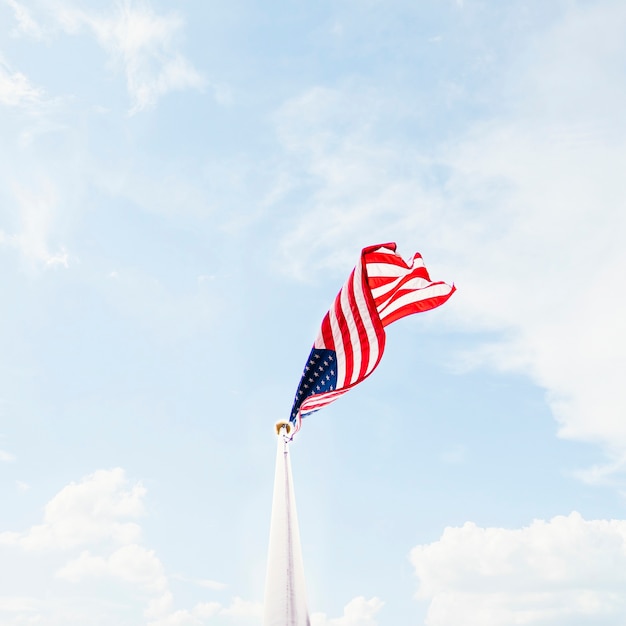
x=285 y=591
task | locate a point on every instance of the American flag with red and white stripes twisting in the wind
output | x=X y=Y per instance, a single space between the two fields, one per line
x=381 y=289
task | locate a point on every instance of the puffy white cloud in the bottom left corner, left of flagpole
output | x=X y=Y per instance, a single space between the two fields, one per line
x=88 y=521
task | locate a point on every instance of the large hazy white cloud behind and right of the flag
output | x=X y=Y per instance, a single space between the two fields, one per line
x=524 y=212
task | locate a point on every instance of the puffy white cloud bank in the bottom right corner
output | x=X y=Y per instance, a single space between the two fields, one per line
x=566 y=571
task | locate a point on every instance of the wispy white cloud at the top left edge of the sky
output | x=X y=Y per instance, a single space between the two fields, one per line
x=141 y=43
